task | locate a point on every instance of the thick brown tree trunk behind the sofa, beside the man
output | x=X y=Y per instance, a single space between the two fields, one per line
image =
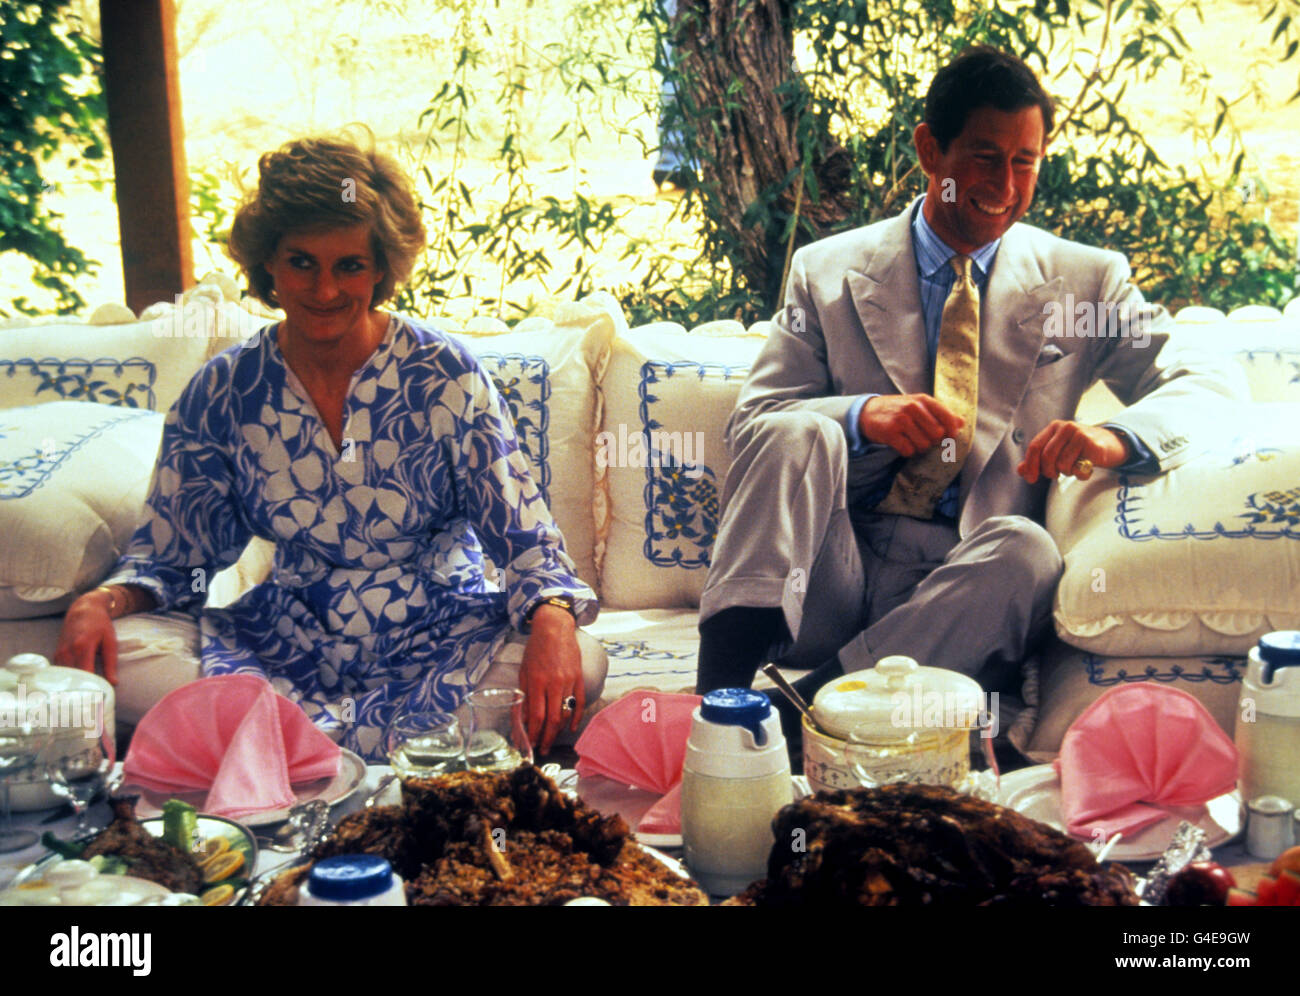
x=740 y=105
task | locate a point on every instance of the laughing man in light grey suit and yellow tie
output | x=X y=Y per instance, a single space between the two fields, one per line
x=894 y=445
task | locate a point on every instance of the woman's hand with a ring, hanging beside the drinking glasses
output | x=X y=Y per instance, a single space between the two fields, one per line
x=552 y=672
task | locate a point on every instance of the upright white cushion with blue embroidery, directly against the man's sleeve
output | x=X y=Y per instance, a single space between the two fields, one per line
x=668 y=399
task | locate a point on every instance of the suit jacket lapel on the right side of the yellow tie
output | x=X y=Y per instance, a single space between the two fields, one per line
x=1012 y=317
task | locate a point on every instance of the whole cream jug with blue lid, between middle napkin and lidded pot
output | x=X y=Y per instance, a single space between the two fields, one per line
x=734 y=781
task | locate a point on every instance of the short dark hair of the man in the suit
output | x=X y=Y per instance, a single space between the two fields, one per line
x=982 y=76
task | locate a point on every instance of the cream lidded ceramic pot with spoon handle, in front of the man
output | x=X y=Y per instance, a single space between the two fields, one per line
x=895 y=722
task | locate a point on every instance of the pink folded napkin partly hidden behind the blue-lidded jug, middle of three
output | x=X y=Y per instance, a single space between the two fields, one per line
x=642 y=742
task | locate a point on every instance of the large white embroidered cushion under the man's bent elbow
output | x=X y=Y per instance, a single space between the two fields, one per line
x=1203 y=560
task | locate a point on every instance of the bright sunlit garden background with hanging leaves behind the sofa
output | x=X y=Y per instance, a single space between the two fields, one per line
x=531 y=127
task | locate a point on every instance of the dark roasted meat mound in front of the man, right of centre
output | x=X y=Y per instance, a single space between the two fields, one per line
x=921 y=846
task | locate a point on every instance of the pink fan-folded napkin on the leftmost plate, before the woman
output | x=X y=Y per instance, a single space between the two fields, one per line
x=233 y=737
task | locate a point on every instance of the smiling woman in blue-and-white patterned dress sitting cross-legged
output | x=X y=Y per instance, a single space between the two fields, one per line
x=379 y=458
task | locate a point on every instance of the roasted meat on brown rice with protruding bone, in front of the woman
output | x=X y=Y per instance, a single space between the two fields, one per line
x=500 y=839
